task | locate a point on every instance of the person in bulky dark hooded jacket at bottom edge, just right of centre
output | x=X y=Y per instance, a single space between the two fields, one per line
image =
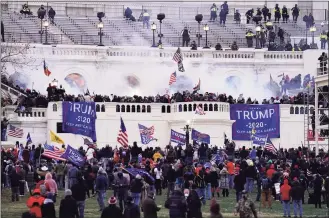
x=177 y=205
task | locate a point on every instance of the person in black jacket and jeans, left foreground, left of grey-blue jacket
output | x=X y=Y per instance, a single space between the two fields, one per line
x=79 y=191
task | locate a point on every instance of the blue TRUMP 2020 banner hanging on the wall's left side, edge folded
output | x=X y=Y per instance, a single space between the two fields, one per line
x=80 y=118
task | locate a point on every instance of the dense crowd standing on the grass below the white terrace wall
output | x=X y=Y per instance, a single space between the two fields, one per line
x=191 y=176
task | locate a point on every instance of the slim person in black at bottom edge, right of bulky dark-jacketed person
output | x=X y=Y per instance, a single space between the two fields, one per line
x=193 y=204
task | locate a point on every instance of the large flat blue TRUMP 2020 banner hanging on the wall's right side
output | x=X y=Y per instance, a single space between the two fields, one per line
x=255 y=119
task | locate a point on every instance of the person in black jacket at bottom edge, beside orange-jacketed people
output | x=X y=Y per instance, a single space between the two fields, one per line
x=68 y=207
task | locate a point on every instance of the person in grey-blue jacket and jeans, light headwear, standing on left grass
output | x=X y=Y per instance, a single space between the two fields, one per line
x=102 y=185
